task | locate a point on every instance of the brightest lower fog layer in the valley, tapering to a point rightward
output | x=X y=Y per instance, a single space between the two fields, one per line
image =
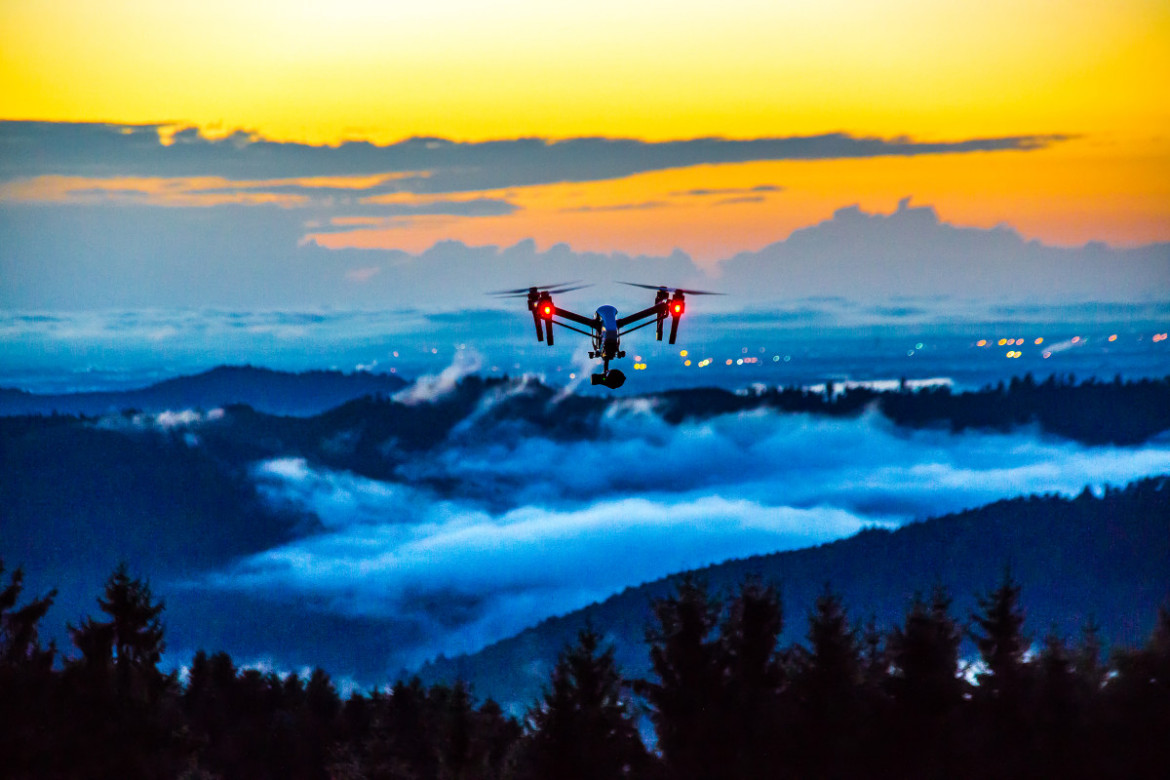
x=465 y=577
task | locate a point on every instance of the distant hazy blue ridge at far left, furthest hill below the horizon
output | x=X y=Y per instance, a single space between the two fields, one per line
x=274 y=392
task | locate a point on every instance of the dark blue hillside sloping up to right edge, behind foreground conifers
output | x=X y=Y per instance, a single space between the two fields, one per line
x=1104 y=558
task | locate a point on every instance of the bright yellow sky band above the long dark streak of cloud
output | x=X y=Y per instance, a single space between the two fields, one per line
x=324 y=72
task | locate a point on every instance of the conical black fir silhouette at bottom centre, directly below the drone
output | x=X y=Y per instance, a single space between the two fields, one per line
x=584 y=727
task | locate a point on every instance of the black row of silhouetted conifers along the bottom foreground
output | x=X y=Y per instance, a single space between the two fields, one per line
x=725 y=702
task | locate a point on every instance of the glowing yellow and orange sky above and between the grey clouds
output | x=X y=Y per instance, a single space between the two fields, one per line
x=348 y=70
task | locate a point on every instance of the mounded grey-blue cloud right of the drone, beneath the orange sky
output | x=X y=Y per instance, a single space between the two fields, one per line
x=913 y=254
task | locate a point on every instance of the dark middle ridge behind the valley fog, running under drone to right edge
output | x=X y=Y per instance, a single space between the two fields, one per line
x=376 y=436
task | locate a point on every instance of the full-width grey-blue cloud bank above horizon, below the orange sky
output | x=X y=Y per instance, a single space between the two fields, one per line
x=258 y=257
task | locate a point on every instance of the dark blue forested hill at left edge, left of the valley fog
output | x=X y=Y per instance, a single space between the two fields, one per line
x=78 y=499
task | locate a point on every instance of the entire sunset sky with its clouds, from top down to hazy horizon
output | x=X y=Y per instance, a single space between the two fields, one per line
x=267 y=155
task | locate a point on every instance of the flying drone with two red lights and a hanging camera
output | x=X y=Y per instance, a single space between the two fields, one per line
x=605 y=328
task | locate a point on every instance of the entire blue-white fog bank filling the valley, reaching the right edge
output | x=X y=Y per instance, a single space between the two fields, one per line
x=503 y=526
